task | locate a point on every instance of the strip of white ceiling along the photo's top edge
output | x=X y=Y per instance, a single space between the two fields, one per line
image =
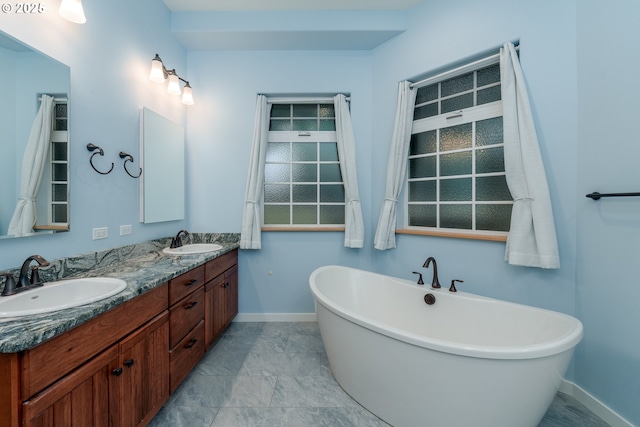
x=255 y=5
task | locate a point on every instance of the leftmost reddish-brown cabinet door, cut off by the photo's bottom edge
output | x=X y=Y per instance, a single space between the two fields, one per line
x=85 y=397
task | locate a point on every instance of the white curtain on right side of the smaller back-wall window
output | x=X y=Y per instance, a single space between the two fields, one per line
x=354 y=225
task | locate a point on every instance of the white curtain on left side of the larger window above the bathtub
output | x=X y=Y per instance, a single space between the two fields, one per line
x=397 y=166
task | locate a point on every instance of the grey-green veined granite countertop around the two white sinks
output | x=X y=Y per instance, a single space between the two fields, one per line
x=143 y=266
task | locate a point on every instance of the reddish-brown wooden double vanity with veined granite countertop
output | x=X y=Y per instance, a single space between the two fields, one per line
x=116 y=361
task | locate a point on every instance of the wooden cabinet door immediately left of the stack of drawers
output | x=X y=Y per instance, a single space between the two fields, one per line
x=144 y=358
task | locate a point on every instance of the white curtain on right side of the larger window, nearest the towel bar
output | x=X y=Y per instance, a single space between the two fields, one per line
x=532 y=236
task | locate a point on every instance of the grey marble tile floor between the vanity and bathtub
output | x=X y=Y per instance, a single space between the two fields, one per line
x=277 y=374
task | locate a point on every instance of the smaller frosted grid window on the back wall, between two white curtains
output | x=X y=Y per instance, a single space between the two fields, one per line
x=302 y=180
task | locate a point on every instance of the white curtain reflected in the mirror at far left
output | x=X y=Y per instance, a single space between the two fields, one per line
x=33 y=164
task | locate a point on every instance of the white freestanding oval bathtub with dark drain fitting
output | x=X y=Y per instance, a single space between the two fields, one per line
x=464 y=361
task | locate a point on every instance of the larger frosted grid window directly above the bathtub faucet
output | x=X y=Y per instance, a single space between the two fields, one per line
x=456 y=177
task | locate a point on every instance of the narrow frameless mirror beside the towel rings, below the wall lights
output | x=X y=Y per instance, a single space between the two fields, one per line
x=162 y=159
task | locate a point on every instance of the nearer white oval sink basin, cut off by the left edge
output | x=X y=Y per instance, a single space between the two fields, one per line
x=55 y=296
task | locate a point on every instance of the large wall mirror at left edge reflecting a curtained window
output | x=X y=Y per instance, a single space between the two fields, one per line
x=26 y=76
